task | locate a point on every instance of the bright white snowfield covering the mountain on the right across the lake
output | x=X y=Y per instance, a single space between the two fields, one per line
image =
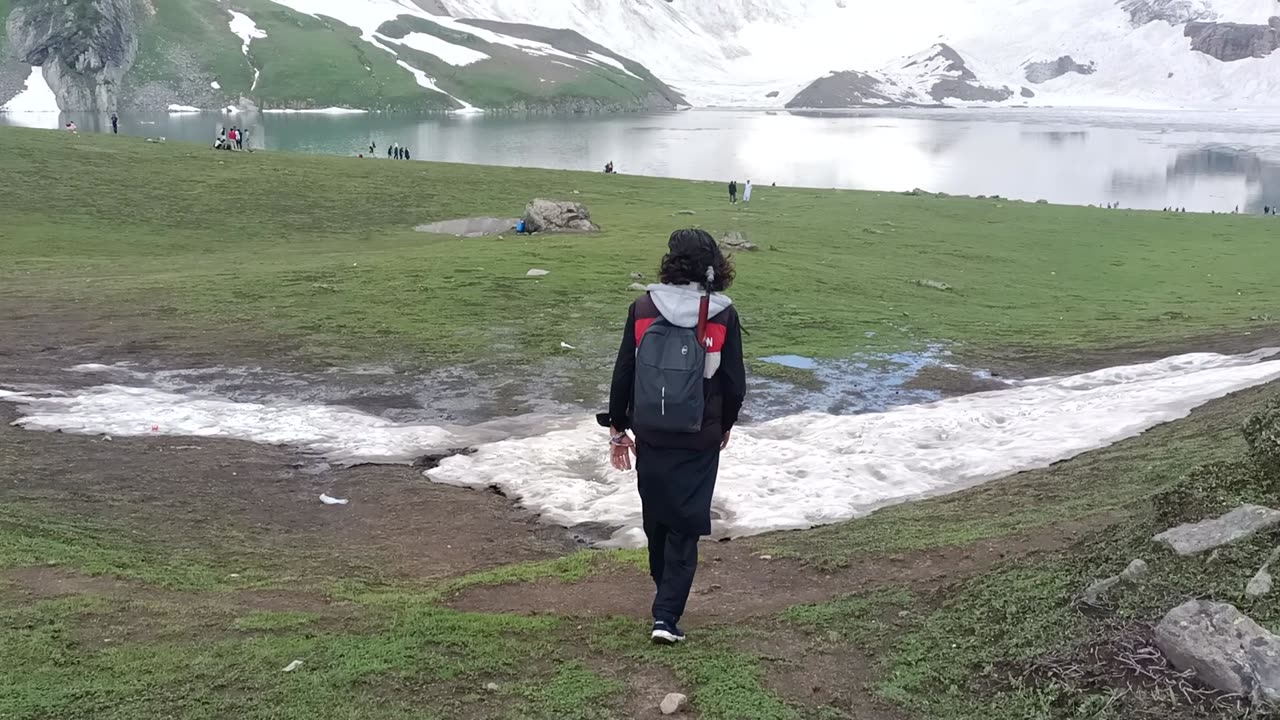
x=739 y=52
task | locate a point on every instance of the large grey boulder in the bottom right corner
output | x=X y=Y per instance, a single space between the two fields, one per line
x=1228 y=651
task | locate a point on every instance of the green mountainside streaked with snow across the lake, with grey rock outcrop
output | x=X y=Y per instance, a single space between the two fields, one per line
x=304 y=54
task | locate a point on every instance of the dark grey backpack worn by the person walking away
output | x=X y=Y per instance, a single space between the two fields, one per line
x=669 y=389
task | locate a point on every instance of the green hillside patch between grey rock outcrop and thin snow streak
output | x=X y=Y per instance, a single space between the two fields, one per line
x=195 y=30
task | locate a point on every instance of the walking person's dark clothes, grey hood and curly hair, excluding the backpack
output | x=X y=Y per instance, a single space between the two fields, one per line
x=676 y=471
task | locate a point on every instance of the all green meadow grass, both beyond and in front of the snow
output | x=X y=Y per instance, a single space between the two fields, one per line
x=307 y=261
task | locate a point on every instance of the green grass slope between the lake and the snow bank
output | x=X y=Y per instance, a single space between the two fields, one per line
x=322 y=252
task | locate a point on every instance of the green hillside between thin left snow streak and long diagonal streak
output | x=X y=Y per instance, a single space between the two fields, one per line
x=313 y=62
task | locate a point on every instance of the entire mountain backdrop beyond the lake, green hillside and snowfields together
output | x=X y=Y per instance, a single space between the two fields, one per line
x=589 y=56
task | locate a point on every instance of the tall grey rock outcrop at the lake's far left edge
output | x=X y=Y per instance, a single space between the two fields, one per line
x=83 y=47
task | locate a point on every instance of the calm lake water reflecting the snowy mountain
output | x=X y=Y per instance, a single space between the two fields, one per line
x=1140 y=160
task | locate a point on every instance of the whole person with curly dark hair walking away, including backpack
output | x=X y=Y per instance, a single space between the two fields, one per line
x=679 y=434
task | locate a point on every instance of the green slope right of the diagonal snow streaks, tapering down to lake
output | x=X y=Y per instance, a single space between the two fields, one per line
x=511 y=76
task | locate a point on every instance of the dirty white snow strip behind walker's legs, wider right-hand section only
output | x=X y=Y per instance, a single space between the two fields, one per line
x=811 y=470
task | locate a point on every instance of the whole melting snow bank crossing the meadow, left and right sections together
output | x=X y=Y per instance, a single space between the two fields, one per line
x=793 y=472
